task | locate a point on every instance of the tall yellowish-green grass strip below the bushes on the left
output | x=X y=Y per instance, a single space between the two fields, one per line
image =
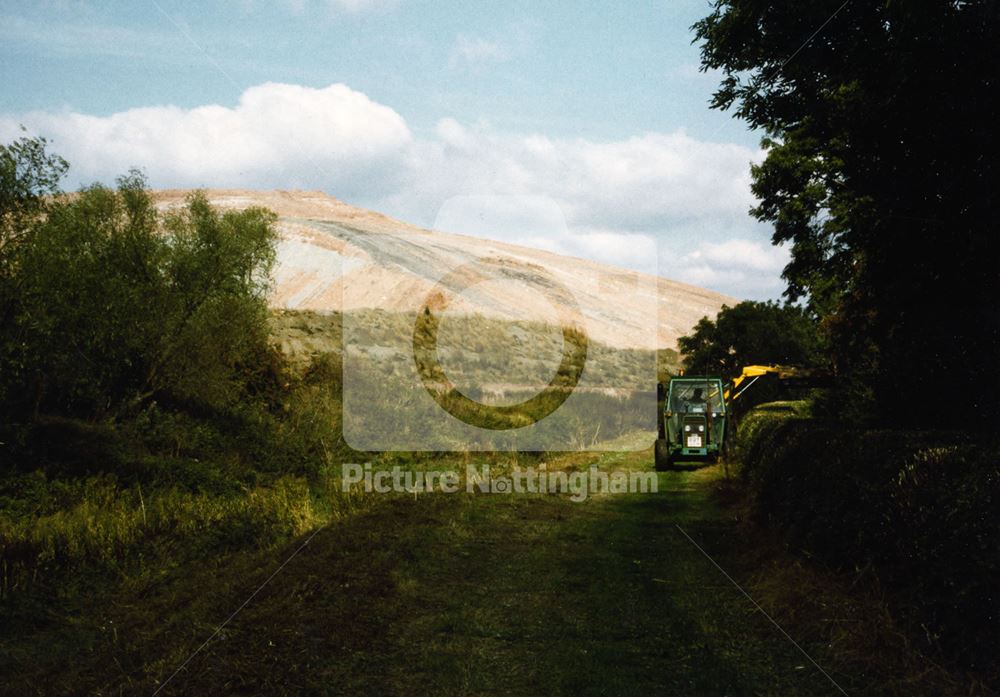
x=101 y=524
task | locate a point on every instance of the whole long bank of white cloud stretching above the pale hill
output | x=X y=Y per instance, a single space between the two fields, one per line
x=689 y=195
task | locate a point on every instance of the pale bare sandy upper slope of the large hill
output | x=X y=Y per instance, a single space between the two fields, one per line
x=336 y=257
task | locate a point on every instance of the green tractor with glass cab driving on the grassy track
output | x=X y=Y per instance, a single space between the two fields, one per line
x=692 y=427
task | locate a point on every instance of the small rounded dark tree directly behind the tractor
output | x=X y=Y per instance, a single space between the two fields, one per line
x=750 y=333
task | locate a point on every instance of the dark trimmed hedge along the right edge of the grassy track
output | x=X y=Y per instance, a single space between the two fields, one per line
x=916 y=508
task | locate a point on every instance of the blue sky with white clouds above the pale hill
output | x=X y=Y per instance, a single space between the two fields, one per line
x=422 y=110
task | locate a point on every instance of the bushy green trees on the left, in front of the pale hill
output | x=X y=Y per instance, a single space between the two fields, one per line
x=108 y=305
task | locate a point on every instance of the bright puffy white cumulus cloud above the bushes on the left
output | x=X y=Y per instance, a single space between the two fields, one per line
x=287 y=135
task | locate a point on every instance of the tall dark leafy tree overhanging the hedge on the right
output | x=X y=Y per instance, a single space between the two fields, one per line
x=878 y=117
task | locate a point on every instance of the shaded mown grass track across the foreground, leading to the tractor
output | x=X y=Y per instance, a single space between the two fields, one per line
x=473 y=594
